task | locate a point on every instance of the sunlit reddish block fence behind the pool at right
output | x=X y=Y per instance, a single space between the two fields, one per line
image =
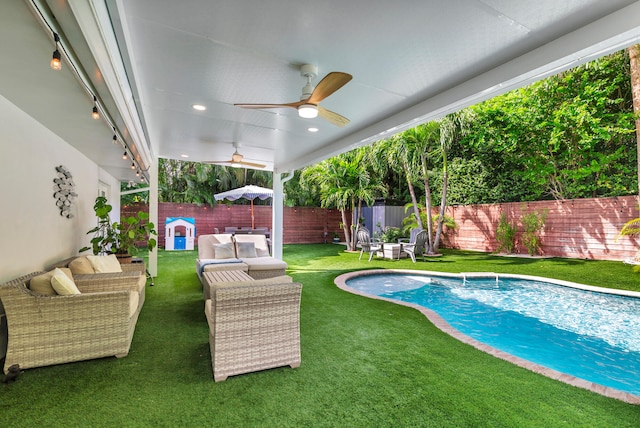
x=580 y=228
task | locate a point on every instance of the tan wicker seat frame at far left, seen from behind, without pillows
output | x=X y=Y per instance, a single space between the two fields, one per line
x=47 y=330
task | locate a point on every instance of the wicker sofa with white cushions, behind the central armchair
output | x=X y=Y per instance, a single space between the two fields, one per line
x=249 y=253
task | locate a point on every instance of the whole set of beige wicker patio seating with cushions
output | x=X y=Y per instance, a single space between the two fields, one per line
x=87 y=307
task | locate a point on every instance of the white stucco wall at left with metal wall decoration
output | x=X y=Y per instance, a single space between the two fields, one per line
x=32 y=232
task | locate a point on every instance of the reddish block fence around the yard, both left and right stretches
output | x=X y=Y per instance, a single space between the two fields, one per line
x=578 y=228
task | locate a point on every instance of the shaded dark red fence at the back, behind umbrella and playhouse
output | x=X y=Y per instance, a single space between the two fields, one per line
x=301 y=225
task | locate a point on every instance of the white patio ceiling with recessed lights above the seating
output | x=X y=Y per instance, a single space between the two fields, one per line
x=412 y=61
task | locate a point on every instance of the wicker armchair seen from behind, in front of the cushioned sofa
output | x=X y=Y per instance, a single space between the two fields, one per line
x=253 y=327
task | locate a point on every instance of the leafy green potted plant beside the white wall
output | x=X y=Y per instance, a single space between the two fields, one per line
x=119 y=238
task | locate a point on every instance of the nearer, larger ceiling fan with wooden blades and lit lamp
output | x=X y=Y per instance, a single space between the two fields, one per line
x=308 y=105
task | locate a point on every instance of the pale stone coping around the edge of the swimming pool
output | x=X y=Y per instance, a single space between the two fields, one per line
x=439 y=322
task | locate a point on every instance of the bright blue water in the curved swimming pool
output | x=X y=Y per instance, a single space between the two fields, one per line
x=589 y=335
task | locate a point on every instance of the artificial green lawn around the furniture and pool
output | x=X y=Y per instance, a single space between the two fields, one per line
x=364 y=362
